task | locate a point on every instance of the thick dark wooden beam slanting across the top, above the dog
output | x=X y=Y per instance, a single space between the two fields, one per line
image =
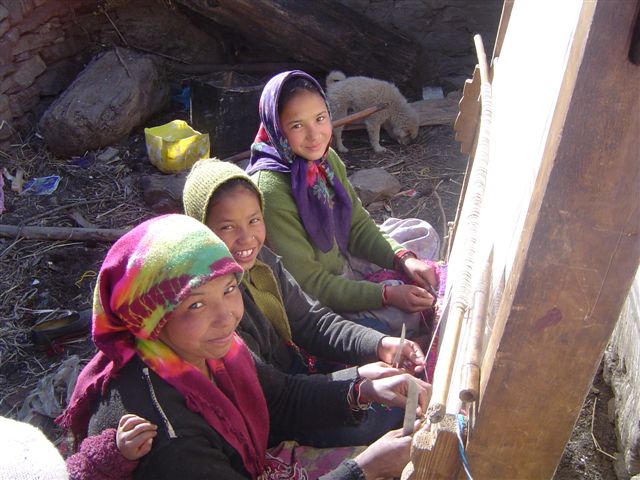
x=324 y=33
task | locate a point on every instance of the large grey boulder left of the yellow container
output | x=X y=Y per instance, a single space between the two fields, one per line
x=113 y=95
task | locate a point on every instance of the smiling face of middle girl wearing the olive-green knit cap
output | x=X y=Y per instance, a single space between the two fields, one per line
x=237 y=219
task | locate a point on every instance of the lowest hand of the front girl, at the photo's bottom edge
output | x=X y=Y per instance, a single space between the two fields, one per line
x=386 y=457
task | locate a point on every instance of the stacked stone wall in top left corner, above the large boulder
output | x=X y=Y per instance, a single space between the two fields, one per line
x=44 y=44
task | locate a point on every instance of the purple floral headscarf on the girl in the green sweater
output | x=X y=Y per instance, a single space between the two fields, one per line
x=323 y=203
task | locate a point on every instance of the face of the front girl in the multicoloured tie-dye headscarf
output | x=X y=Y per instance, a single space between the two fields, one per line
x=202 y=325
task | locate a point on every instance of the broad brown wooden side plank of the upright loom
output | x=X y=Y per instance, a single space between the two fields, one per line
x=575 y=259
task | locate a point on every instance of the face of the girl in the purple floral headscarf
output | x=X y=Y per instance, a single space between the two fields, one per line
x=305 y=122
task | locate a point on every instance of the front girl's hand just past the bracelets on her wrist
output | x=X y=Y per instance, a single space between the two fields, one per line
x=393 y=391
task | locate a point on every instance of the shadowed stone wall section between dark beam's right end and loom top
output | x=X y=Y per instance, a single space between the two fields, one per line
x=444 y=29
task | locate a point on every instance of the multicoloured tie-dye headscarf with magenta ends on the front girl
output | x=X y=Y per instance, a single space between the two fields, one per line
x=144 y=277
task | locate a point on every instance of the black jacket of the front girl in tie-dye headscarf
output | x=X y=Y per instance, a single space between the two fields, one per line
x=187 y=447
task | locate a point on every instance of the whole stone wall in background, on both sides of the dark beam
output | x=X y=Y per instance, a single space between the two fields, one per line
x=45 y=43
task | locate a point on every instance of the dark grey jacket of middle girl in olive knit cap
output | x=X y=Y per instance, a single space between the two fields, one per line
x=316 y=329
